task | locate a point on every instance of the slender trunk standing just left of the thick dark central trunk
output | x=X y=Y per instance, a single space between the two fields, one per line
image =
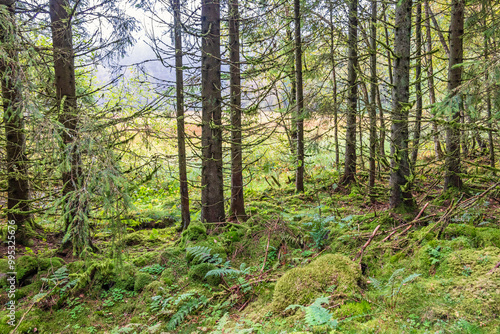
x=181 y=142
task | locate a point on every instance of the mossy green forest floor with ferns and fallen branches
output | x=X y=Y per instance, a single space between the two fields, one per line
x=326 y=261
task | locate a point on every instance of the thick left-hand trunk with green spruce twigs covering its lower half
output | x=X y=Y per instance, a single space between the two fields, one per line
x=75 y=207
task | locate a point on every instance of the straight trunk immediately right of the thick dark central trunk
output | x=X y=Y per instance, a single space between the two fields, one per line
x=237 y=199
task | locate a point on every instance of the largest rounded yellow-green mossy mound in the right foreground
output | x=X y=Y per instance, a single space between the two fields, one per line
x=302 y=285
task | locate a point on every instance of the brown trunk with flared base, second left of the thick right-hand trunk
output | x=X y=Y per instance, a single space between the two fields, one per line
x=350 y=150
